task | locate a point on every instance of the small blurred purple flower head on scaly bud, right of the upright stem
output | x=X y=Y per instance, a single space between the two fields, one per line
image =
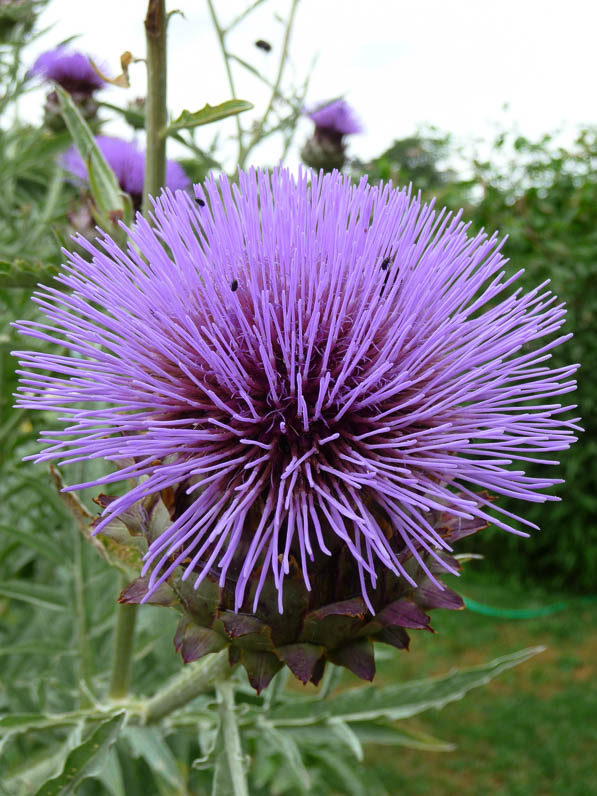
x=326 y=149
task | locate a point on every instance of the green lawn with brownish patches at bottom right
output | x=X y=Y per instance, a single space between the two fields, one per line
x=532 y=731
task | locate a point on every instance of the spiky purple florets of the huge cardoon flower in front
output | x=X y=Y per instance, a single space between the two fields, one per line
x=310 y=369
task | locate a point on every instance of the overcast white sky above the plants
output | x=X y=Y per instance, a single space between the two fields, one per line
x=399 y=64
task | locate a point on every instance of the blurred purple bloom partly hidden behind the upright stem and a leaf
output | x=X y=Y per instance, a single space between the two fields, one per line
x=128 y=164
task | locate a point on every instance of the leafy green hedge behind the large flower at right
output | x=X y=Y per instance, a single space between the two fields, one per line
x=544 y=197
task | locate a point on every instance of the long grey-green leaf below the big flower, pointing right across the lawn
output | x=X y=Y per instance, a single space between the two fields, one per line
x=398 y=701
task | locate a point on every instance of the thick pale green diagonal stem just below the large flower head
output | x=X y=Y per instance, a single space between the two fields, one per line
x=189 y=683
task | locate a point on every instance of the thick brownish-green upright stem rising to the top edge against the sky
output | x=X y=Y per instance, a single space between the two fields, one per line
x=156 y=113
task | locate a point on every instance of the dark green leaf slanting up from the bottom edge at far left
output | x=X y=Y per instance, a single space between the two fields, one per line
x=82 y=761
